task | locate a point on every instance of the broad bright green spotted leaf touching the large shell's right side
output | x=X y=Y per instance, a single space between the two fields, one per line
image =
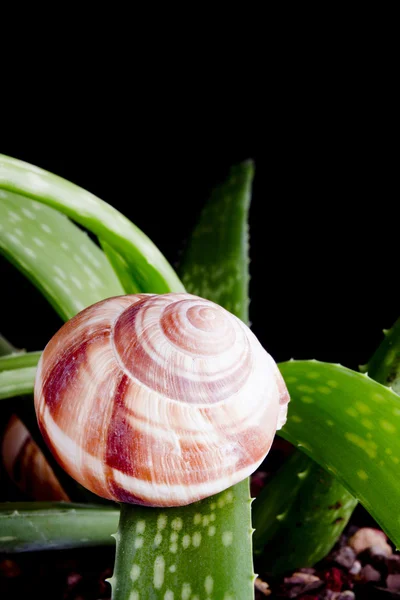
x=350 y=425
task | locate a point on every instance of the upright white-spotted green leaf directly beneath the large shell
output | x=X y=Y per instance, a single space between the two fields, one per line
x=186 y=552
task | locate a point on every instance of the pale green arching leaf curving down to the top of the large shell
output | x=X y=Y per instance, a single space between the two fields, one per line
x=145 y=262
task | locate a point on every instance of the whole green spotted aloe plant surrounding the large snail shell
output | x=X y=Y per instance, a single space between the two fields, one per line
x=203 y=550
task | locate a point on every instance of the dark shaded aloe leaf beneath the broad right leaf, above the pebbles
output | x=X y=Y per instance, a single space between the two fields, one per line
x=302 y=511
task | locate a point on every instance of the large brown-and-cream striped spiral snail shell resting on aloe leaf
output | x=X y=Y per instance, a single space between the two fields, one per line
x=159 y=400
